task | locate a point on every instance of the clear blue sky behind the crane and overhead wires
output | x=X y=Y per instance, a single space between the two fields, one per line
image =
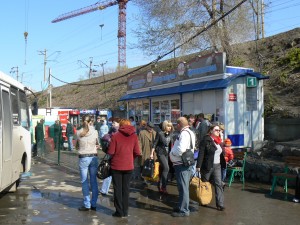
x=81 y=39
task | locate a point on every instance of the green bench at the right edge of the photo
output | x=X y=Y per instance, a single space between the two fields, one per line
x=290 y=162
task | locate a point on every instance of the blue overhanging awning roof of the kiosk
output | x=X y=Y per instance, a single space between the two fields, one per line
x=201 y=86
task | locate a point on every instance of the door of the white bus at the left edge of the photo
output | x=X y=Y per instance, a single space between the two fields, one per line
x=5 y=138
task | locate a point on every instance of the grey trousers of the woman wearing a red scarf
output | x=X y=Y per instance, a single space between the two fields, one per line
x=217 y=178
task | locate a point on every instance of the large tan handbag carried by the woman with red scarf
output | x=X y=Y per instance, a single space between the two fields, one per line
x=200 y=191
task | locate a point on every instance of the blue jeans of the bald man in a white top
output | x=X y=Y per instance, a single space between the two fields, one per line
x=183 y=176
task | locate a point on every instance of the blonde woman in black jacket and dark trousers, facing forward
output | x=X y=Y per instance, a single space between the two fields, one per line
x=162 y=146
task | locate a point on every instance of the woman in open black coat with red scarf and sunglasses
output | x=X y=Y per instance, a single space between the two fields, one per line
x=211 y=161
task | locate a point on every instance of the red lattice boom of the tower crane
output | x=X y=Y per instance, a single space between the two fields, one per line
x=84 y=10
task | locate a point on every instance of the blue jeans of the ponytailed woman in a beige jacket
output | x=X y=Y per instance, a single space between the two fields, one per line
x=88 y=165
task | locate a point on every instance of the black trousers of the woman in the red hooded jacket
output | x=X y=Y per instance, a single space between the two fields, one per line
x=121 y=182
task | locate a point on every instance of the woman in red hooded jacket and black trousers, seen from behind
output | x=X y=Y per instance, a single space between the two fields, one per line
x=123 y=148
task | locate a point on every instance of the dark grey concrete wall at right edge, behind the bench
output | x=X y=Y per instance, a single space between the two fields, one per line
x=282 y=129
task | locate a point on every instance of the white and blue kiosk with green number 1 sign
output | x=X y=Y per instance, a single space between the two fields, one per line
x=204 y=84
